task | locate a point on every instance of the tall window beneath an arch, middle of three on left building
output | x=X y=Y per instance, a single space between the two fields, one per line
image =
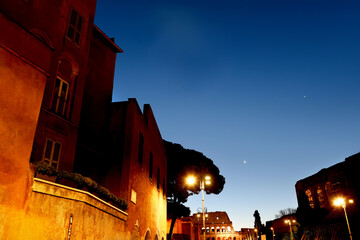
x=60 y=97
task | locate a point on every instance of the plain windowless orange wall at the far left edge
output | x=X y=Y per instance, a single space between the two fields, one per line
x=22 y=80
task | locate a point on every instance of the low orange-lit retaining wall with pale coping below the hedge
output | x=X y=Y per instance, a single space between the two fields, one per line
x=55 y=211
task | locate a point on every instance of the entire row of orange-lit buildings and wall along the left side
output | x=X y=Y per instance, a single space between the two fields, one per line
x=57 y=72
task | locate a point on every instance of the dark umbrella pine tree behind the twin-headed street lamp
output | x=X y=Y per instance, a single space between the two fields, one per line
x=181 y=163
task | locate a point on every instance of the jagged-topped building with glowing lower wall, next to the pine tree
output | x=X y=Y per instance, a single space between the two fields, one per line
x=145 y=194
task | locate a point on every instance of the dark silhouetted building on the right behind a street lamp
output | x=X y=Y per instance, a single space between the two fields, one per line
x=316 y=194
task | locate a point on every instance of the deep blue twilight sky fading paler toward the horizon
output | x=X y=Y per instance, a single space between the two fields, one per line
x=274 y=84
